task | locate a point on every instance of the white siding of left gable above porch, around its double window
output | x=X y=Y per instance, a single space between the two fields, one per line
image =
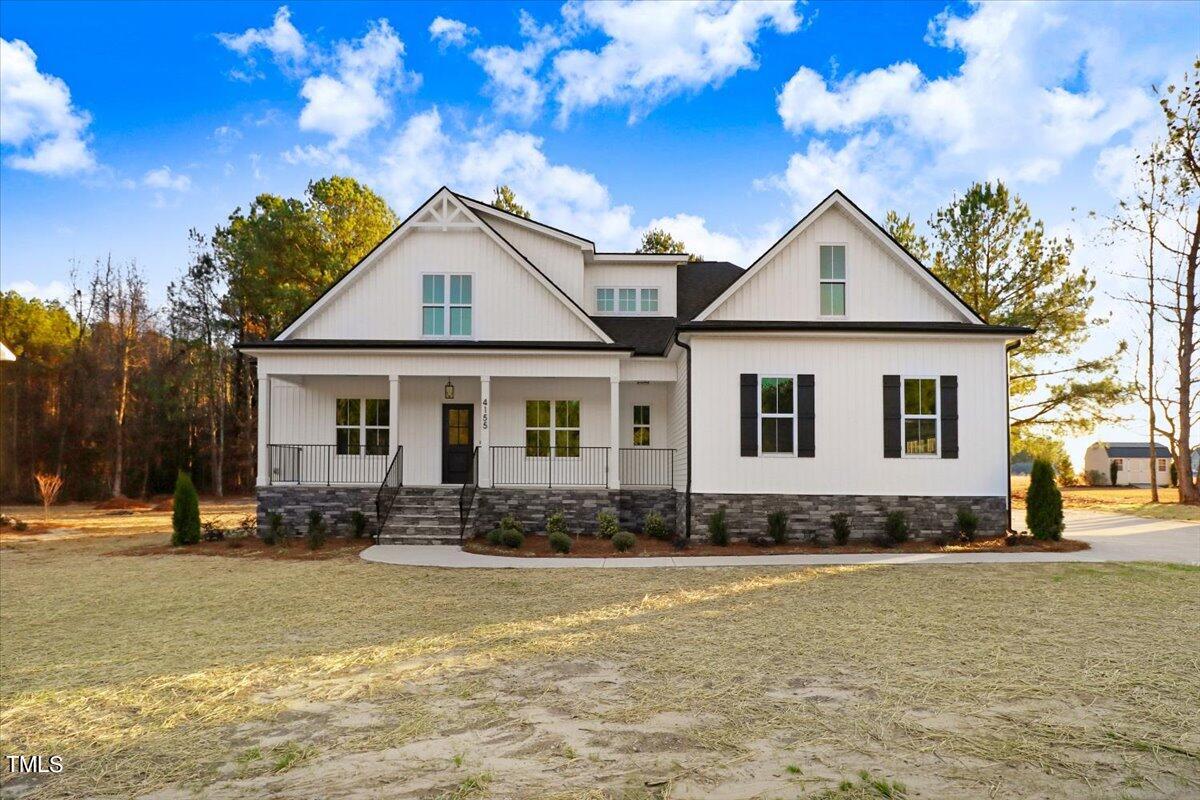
x=385 y=302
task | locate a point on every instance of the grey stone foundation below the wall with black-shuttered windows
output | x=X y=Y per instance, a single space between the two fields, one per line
x=928 y=516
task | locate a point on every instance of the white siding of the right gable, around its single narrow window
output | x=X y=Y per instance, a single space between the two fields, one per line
x=878 y=286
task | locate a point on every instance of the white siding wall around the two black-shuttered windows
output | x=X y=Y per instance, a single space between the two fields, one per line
x=849 y=408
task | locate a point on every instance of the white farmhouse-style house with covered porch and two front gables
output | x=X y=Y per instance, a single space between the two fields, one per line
x=477 y=364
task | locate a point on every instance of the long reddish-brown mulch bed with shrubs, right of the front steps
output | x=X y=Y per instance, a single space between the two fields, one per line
x=537 y=546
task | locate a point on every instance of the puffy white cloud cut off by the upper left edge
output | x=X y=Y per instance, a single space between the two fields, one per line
x=39 y=122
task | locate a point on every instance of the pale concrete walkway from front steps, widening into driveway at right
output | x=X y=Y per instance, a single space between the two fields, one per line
x=1114 y=538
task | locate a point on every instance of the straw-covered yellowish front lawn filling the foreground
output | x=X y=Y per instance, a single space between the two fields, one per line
x=239 y=678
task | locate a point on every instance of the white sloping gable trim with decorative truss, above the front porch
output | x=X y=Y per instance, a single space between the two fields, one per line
x=455 y=213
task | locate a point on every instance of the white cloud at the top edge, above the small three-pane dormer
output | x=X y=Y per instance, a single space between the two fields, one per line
x=659 y=51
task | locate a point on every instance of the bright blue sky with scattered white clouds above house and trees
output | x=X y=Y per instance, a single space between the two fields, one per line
x=124 y=125
